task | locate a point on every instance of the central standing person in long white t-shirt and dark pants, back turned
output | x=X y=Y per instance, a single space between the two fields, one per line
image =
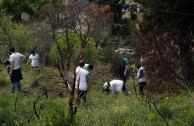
x=82 y=80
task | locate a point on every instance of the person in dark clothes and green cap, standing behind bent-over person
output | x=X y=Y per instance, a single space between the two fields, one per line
x=123 y=71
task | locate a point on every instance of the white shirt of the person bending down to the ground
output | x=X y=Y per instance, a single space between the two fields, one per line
x=115 y=85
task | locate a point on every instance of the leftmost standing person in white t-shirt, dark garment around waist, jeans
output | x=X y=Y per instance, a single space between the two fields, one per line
x=15 y=71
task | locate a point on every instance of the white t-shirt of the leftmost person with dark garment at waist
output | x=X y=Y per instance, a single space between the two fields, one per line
x=15 y=58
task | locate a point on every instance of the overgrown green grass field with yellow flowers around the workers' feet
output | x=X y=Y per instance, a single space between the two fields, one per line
x=32 y=107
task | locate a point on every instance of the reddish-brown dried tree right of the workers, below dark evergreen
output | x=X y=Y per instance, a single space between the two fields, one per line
x=165 y=50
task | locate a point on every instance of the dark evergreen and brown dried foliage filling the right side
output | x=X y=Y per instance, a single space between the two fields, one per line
x=165 y=41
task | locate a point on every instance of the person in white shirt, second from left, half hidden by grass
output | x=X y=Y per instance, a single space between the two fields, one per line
x=34 y=59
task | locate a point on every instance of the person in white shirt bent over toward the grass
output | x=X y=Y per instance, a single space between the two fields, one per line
x=114 y=85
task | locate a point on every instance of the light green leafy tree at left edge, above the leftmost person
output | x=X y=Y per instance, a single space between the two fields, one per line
x=13 y=34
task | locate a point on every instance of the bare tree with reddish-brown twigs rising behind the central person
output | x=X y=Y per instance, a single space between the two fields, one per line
x=89 y=22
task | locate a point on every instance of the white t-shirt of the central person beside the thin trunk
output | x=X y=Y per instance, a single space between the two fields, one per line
x=81 y=77
